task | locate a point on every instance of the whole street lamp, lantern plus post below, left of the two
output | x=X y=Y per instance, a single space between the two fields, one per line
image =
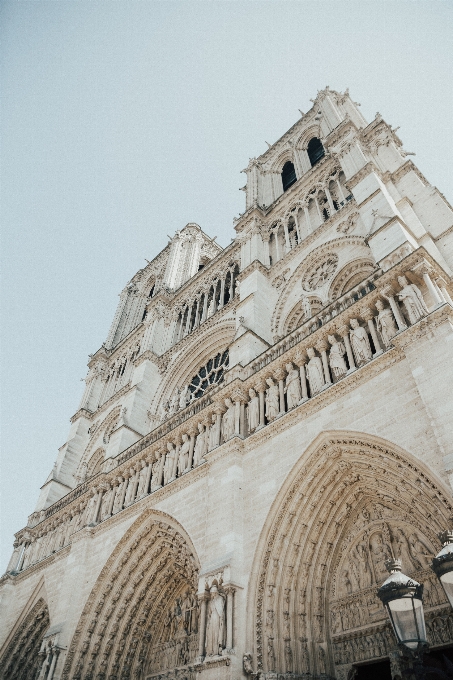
x=403 y=600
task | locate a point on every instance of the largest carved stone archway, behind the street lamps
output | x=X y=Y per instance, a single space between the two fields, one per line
x=350 y=501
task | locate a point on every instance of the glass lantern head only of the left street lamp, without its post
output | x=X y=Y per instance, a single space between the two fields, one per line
x=403 y=599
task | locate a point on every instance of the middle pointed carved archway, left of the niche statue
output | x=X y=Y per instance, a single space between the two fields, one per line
x=141 y=616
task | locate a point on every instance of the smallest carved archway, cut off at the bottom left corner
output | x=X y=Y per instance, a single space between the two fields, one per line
x=21 y=660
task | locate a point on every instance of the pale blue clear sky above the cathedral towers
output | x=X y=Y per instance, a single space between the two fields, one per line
x=122 y=121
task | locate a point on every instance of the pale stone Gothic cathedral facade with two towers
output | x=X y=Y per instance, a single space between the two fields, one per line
x=263 y=427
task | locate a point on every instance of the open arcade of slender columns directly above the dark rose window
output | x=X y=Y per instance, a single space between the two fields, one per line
x=206 y=303
